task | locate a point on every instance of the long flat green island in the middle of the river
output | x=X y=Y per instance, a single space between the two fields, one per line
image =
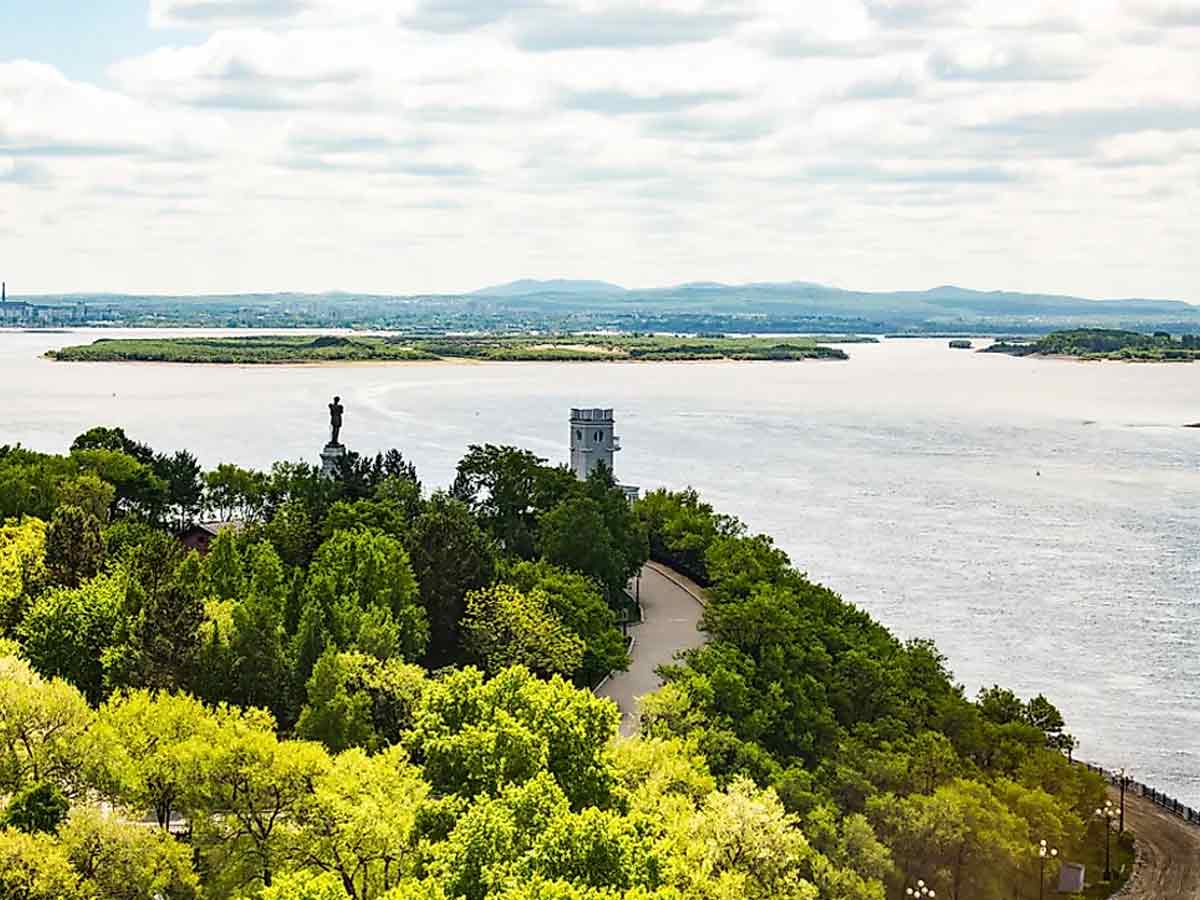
x=255 y=350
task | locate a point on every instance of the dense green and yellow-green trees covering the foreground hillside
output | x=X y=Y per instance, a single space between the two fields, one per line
x=370 y=692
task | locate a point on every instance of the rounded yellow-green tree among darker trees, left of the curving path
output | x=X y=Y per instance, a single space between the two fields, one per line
x=505 y=627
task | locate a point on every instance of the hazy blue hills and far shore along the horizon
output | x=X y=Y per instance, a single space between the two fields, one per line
x=566 y=304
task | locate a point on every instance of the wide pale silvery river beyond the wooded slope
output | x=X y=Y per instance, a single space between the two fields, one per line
x=1039 y=519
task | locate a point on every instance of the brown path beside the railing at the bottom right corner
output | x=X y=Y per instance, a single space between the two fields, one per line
x=1168 y=854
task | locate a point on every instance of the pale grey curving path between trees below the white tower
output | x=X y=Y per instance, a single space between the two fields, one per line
x=671 y=609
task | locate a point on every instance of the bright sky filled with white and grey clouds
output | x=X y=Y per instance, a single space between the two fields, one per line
x=441 y=146
